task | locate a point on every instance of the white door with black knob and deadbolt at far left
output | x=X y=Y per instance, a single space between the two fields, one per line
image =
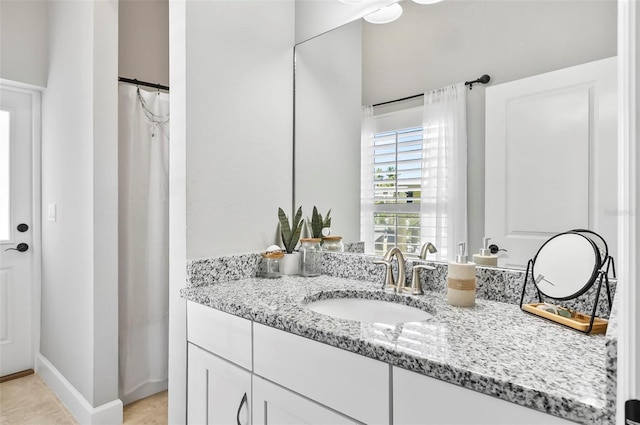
x=16 y=229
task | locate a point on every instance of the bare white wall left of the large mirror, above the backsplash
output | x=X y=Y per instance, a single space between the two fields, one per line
x=239 y=64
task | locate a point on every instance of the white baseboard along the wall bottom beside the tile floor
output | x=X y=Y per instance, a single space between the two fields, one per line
x=106 y=414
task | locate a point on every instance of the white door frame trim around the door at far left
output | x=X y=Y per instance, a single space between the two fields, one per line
x=36 y=190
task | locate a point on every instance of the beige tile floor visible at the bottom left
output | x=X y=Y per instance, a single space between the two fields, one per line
x=28 y=401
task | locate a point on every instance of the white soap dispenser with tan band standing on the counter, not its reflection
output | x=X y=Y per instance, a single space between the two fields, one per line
x=461 y=280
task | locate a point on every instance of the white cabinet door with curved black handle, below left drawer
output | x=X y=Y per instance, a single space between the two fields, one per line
x=218 y=392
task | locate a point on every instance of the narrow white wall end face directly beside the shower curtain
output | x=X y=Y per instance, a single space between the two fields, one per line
x=105 y=202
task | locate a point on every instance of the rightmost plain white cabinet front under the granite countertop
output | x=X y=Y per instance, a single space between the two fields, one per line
x=419 y=399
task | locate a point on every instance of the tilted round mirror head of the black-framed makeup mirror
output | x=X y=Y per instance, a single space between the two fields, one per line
x=566 y=265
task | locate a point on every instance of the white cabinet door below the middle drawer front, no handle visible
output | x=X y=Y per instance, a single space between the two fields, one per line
x=274 y=405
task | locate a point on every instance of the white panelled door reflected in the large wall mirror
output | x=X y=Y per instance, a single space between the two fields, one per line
x=550 y=155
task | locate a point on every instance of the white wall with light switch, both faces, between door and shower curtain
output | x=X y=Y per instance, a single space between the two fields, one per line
x=79 y=174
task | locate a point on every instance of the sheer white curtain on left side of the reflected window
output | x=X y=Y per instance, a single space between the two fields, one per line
x=366 y=184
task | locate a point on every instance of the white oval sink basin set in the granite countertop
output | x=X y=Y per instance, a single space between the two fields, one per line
x=369 y=311
